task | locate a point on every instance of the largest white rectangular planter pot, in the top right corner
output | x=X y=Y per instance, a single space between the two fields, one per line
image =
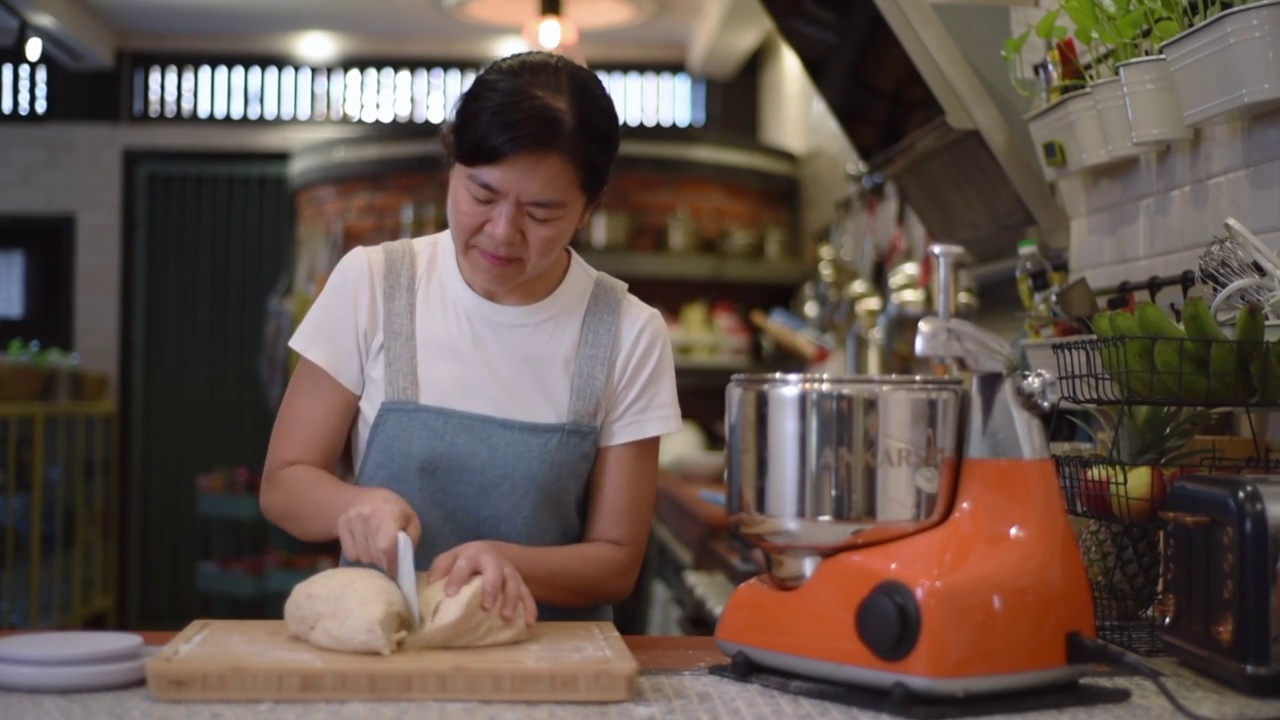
x=1229 y=63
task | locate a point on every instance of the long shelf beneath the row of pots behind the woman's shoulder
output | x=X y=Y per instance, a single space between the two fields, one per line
x=697 y=268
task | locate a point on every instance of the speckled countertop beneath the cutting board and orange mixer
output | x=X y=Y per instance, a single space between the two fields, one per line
x=674 y=685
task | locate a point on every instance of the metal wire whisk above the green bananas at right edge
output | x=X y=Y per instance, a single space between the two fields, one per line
x=1241 y=270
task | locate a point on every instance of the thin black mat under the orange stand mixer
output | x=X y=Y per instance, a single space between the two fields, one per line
x=900 y=701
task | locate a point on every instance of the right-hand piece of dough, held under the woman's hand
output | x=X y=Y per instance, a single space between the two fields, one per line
x=461 y=622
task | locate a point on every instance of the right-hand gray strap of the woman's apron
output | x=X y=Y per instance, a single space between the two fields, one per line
x=596 y=350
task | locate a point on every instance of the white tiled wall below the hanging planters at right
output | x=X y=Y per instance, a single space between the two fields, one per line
x=1158 y=213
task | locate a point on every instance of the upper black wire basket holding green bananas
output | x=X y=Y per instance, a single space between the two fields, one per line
x=1169 y=372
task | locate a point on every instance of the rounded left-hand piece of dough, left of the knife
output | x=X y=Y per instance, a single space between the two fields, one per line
x=354 y=610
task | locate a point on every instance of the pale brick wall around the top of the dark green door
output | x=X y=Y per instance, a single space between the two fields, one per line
x=79 y=170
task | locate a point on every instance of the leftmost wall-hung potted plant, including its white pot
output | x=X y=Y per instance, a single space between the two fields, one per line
x=1067 y=131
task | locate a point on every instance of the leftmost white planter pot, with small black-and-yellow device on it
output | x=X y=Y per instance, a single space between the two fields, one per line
x=1068 y=135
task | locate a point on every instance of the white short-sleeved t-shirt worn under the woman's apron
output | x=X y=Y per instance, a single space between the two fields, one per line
x=479 y=357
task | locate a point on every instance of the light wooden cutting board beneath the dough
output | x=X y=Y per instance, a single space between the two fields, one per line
x=257 y=660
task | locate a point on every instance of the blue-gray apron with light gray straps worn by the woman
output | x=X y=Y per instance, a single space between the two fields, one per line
x=474 y=477
